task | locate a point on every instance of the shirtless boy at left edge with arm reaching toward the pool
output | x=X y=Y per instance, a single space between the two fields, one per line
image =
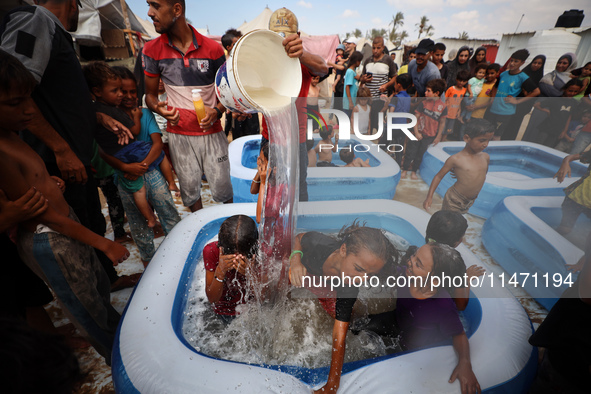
x=54 y=244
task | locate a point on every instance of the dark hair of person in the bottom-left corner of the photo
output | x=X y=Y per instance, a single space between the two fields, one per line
x=36 y=361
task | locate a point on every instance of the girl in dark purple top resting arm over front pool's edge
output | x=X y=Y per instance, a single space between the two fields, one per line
x=426 y=315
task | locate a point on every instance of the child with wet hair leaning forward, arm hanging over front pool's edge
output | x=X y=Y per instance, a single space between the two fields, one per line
x=355 y=252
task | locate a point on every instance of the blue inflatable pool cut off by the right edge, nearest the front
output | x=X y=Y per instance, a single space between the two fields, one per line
x=520 y=236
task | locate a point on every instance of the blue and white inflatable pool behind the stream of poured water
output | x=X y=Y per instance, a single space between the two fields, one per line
x=324 y=183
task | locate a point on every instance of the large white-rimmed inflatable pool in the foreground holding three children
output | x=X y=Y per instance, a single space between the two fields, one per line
x=151 y=355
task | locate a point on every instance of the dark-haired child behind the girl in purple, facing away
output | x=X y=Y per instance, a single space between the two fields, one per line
x=449 y=228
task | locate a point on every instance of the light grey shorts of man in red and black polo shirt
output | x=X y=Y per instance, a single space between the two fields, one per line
x=194 y=156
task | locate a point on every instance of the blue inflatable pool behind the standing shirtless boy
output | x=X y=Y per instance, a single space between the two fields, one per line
x=516 y=168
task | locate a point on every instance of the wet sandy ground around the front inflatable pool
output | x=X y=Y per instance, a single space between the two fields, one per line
x=97 y=377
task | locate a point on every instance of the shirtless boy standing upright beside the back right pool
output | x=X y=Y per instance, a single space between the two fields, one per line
x=469 y=166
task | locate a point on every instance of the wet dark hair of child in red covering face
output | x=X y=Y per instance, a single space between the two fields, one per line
x=238 y=235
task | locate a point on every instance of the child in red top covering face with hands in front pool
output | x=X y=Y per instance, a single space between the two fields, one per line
x=226 y=261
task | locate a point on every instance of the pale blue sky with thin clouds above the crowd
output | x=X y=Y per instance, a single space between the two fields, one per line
x=480 y=18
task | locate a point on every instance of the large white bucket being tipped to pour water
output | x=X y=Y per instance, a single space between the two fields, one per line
x=258 y=76
